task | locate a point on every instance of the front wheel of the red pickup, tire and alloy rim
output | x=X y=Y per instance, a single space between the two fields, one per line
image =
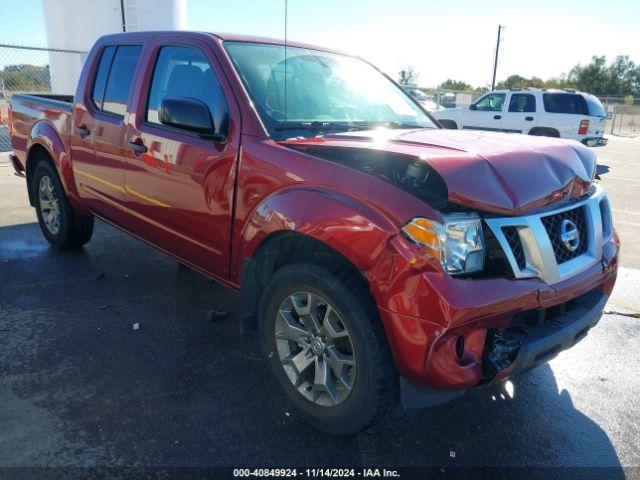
x=372 y=377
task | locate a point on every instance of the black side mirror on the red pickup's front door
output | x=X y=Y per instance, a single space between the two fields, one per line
x=189 y=114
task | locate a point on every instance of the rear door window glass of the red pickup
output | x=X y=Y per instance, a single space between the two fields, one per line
x=114 y=77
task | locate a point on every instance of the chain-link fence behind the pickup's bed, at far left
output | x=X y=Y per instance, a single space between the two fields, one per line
x=35 y=70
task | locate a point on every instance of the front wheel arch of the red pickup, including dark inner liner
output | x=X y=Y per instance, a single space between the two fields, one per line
x=310 y=225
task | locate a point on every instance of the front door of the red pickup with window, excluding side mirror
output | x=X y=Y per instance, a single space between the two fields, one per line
x=180 y=190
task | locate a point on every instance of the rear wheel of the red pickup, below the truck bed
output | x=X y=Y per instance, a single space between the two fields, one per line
x=61 y=225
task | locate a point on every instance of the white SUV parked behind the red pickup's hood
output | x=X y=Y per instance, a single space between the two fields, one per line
x=552 y=113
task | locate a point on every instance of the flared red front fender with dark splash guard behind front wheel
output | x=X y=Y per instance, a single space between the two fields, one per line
x=354 y=230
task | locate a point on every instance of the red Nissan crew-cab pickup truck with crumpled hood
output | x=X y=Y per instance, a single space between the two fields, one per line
x=377 y=255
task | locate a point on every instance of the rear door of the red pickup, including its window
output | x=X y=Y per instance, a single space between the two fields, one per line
x=98 y=151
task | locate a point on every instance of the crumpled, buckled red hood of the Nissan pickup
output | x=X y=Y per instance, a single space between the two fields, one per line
x=503 y=173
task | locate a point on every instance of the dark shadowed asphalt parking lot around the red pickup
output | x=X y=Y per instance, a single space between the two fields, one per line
x=81 y=387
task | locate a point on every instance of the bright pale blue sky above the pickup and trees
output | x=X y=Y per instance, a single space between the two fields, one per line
x=441 y=39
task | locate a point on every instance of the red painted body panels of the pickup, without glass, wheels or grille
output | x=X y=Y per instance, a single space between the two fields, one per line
x=213 y=205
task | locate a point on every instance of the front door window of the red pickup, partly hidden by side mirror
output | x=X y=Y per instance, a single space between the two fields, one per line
x=184 y=72
